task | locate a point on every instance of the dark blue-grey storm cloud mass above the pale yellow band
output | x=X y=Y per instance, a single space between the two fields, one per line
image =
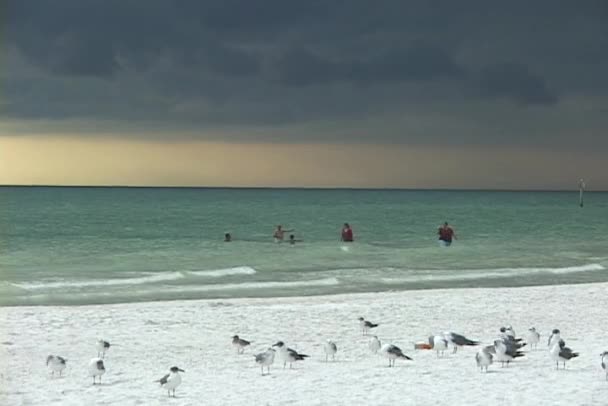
x=284 y=65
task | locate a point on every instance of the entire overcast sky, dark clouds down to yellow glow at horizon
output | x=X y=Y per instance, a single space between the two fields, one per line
x=479 y=78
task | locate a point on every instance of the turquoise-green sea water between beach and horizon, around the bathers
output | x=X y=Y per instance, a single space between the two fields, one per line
x=107 y=245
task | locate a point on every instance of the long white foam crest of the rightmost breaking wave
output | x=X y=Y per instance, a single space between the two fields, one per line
x=456 y=275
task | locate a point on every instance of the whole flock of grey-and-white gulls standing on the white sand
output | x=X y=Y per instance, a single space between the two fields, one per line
x=506 y=348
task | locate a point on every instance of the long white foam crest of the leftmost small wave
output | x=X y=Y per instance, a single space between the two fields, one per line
x=150 y=278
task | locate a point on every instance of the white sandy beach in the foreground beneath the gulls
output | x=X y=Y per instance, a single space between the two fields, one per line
x=148 y=338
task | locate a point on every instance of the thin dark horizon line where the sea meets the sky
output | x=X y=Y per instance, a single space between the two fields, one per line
x=421 y=189
